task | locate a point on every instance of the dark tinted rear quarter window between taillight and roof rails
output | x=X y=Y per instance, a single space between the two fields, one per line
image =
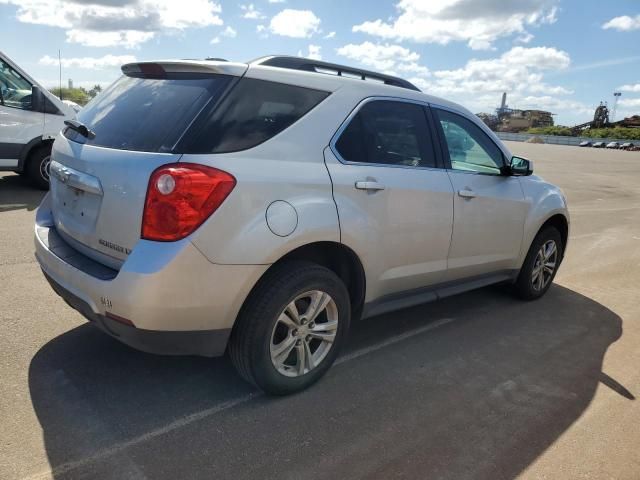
x=252 y=112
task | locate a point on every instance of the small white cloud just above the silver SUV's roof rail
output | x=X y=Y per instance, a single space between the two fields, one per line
x=384 y=57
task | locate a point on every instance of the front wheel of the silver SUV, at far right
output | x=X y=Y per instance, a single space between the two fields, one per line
x=540 y=265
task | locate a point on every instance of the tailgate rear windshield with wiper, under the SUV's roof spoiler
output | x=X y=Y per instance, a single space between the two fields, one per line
x=148 y=114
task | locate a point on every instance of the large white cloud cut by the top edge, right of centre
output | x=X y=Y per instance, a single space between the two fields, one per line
x=474 y=22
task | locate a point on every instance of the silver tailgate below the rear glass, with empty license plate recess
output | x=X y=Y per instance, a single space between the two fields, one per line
x=98 y=197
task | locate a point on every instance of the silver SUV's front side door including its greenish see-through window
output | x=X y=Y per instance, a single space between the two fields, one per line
x=489 y=208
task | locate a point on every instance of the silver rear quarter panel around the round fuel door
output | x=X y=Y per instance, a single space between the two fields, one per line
x=238 y=233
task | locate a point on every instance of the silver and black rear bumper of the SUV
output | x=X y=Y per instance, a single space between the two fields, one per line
x=178 y=301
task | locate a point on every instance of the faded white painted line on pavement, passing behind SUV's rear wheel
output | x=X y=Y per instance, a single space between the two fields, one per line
x=194 y=417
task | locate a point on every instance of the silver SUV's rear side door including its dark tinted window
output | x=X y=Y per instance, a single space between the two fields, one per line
x=395 y=206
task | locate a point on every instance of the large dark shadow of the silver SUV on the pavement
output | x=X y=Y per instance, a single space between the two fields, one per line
x=479 y=397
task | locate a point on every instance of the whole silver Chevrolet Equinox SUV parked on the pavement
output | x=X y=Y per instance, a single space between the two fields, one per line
x=198 y=207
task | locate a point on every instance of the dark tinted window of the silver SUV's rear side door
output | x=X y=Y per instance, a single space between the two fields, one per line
x=388 y=133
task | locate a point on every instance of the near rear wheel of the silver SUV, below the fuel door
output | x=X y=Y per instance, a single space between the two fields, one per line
x=291 y=328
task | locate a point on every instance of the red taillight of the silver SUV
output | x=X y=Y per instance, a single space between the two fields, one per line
x=181 y=196
